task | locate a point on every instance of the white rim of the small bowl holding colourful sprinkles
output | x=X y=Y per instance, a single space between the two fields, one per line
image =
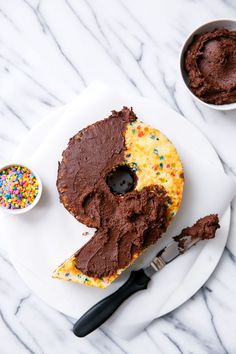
x=36 y=200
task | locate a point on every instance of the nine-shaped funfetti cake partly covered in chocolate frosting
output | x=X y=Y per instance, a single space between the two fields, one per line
x=125 y=179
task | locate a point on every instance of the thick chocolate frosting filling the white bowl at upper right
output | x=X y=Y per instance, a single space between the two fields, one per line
x=210 y=62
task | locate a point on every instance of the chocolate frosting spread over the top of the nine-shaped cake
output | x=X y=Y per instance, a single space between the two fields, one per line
x=126 y=224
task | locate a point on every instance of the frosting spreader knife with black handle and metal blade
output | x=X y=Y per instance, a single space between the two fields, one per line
x=137 y=281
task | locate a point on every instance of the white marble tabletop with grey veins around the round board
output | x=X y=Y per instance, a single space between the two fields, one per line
x=49 y=51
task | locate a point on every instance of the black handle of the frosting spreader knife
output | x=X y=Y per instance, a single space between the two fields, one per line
x=101 y=311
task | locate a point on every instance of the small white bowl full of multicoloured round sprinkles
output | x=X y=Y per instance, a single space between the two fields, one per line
x=20 y=188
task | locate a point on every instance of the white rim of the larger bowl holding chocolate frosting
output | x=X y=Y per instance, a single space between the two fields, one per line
x=189 y=37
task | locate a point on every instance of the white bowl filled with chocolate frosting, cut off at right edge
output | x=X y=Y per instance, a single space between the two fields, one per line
x=208 y=64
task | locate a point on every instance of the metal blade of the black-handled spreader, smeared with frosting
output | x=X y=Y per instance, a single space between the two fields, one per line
x=177 y=246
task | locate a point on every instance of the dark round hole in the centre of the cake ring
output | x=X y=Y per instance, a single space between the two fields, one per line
x=121 y=180
